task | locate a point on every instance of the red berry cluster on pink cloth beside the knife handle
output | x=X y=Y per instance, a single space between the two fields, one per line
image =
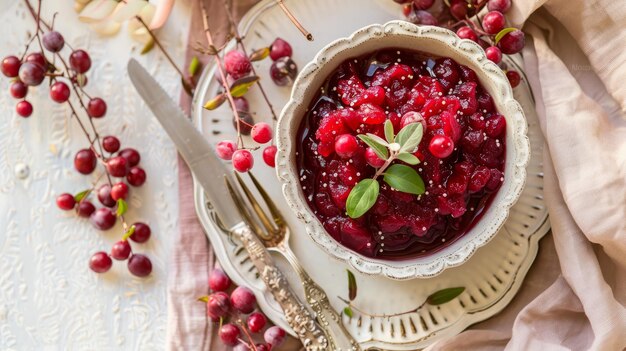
x=233 y=309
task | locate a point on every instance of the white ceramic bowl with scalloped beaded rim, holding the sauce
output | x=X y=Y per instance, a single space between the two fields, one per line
x=437 y=41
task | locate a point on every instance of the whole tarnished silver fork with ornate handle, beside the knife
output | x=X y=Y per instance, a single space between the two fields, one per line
x=274 y=232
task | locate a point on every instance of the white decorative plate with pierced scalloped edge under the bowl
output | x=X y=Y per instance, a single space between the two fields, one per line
x=491 y=276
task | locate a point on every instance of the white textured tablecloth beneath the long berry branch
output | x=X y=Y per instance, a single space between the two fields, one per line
x=49 y=299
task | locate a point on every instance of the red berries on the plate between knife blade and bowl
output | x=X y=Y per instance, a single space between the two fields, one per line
x=283 y=72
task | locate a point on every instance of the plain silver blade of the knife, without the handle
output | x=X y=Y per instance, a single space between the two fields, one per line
x=199 y=155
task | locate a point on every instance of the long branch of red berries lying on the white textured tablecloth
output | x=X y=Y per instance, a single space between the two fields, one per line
x=67 y=79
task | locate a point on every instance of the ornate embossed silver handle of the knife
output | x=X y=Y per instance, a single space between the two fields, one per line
x=299 y=318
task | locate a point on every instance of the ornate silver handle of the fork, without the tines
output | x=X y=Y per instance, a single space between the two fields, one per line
x=318 y=300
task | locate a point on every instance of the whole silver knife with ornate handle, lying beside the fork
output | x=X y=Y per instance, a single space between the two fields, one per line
x=207 y=170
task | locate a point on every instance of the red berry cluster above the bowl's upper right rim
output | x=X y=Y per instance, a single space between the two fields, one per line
x=490 y=33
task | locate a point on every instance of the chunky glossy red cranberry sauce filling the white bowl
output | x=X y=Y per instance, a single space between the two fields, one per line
x=358 y=98
